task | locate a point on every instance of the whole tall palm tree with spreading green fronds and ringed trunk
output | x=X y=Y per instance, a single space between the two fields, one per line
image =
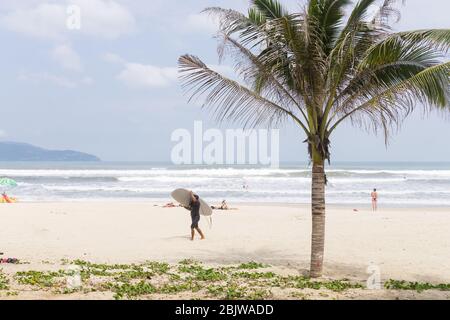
x=331 y=62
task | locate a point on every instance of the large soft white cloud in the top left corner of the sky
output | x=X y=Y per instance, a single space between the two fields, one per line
x=101 y=18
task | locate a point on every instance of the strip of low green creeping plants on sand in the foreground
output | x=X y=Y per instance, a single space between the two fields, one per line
x=189 y=279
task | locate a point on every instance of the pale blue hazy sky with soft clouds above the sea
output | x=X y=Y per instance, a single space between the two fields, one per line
x=110 y=87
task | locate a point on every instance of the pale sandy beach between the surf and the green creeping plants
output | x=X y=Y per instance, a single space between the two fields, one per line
x=405 y=244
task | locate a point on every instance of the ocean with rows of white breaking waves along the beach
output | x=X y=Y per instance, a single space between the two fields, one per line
x=399 y=184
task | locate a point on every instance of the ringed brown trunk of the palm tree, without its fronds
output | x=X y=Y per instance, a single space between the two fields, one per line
x=318 y=219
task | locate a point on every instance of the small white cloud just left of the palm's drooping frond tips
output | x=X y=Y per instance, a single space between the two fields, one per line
x=140 y=75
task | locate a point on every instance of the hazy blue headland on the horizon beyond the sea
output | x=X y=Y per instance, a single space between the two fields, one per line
x=13 y=151
